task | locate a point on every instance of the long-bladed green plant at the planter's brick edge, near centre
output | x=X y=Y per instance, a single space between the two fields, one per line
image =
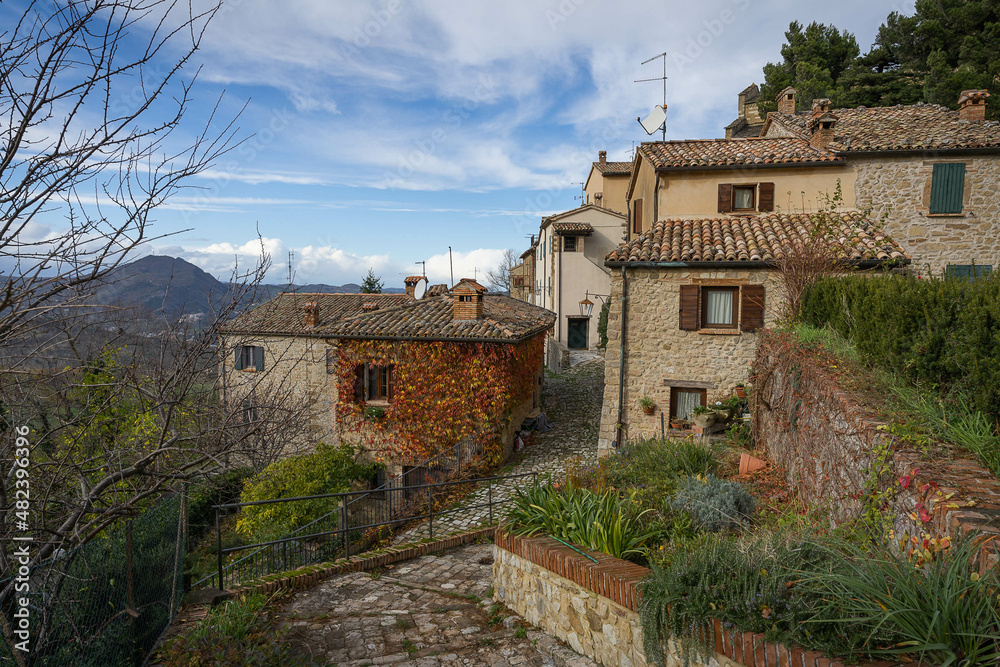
x=599 y=521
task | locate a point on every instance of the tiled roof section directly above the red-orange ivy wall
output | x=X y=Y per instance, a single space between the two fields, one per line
x=505 y=319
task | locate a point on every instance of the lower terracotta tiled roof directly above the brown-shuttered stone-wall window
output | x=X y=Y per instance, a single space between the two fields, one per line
x=756 y=239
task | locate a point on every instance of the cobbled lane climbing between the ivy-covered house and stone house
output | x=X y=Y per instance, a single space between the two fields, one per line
x=572 y=401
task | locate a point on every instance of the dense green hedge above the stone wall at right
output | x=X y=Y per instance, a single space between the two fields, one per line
x=943 y=332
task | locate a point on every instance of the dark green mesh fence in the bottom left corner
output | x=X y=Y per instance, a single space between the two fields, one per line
x=107 y=602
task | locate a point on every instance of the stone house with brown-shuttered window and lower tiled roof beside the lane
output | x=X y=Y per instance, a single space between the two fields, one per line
x=695 y=291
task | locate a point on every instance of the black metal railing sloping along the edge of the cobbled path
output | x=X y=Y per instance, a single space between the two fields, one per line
x=352 y=524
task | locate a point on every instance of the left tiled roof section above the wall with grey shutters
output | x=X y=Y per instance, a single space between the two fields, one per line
x=284 y=313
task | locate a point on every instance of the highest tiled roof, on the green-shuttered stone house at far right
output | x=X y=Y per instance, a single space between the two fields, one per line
x=898 y=128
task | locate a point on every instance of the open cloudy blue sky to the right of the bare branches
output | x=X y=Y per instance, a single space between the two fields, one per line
x=379 y=134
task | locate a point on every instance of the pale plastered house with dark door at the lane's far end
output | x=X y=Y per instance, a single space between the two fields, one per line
x=569 y=269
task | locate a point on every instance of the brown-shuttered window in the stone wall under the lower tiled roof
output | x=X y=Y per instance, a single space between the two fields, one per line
x=735 y=307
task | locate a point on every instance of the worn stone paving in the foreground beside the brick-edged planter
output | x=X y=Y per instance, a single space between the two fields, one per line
x=424 y=612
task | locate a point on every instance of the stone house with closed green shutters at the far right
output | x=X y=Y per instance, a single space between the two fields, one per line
x=929 y=172
